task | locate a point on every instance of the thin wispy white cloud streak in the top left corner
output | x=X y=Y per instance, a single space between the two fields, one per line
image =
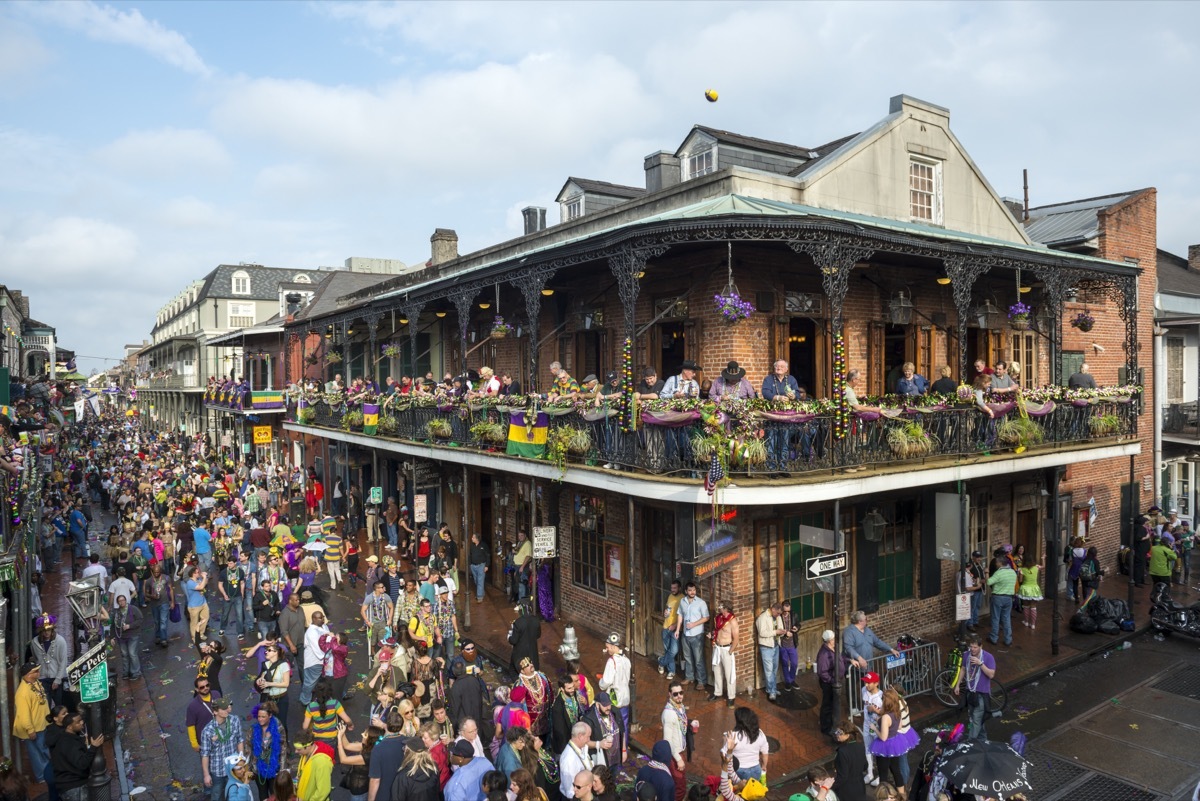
x=117 y=27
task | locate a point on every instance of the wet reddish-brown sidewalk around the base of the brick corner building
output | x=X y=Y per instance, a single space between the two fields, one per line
x=791 y=725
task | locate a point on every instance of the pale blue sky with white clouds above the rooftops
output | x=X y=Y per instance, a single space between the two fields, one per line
x=143 y=144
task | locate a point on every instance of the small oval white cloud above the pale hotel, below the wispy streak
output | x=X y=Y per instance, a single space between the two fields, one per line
x=166 y=154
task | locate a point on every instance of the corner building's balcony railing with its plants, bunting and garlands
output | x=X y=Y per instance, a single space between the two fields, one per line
x=760 y=442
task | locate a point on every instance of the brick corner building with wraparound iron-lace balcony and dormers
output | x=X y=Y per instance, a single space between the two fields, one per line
x=880 y=249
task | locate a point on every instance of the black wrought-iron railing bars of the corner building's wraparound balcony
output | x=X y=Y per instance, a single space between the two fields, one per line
x=791 y=448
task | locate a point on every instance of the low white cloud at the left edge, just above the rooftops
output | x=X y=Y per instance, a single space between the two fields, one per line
x=68 y=249
